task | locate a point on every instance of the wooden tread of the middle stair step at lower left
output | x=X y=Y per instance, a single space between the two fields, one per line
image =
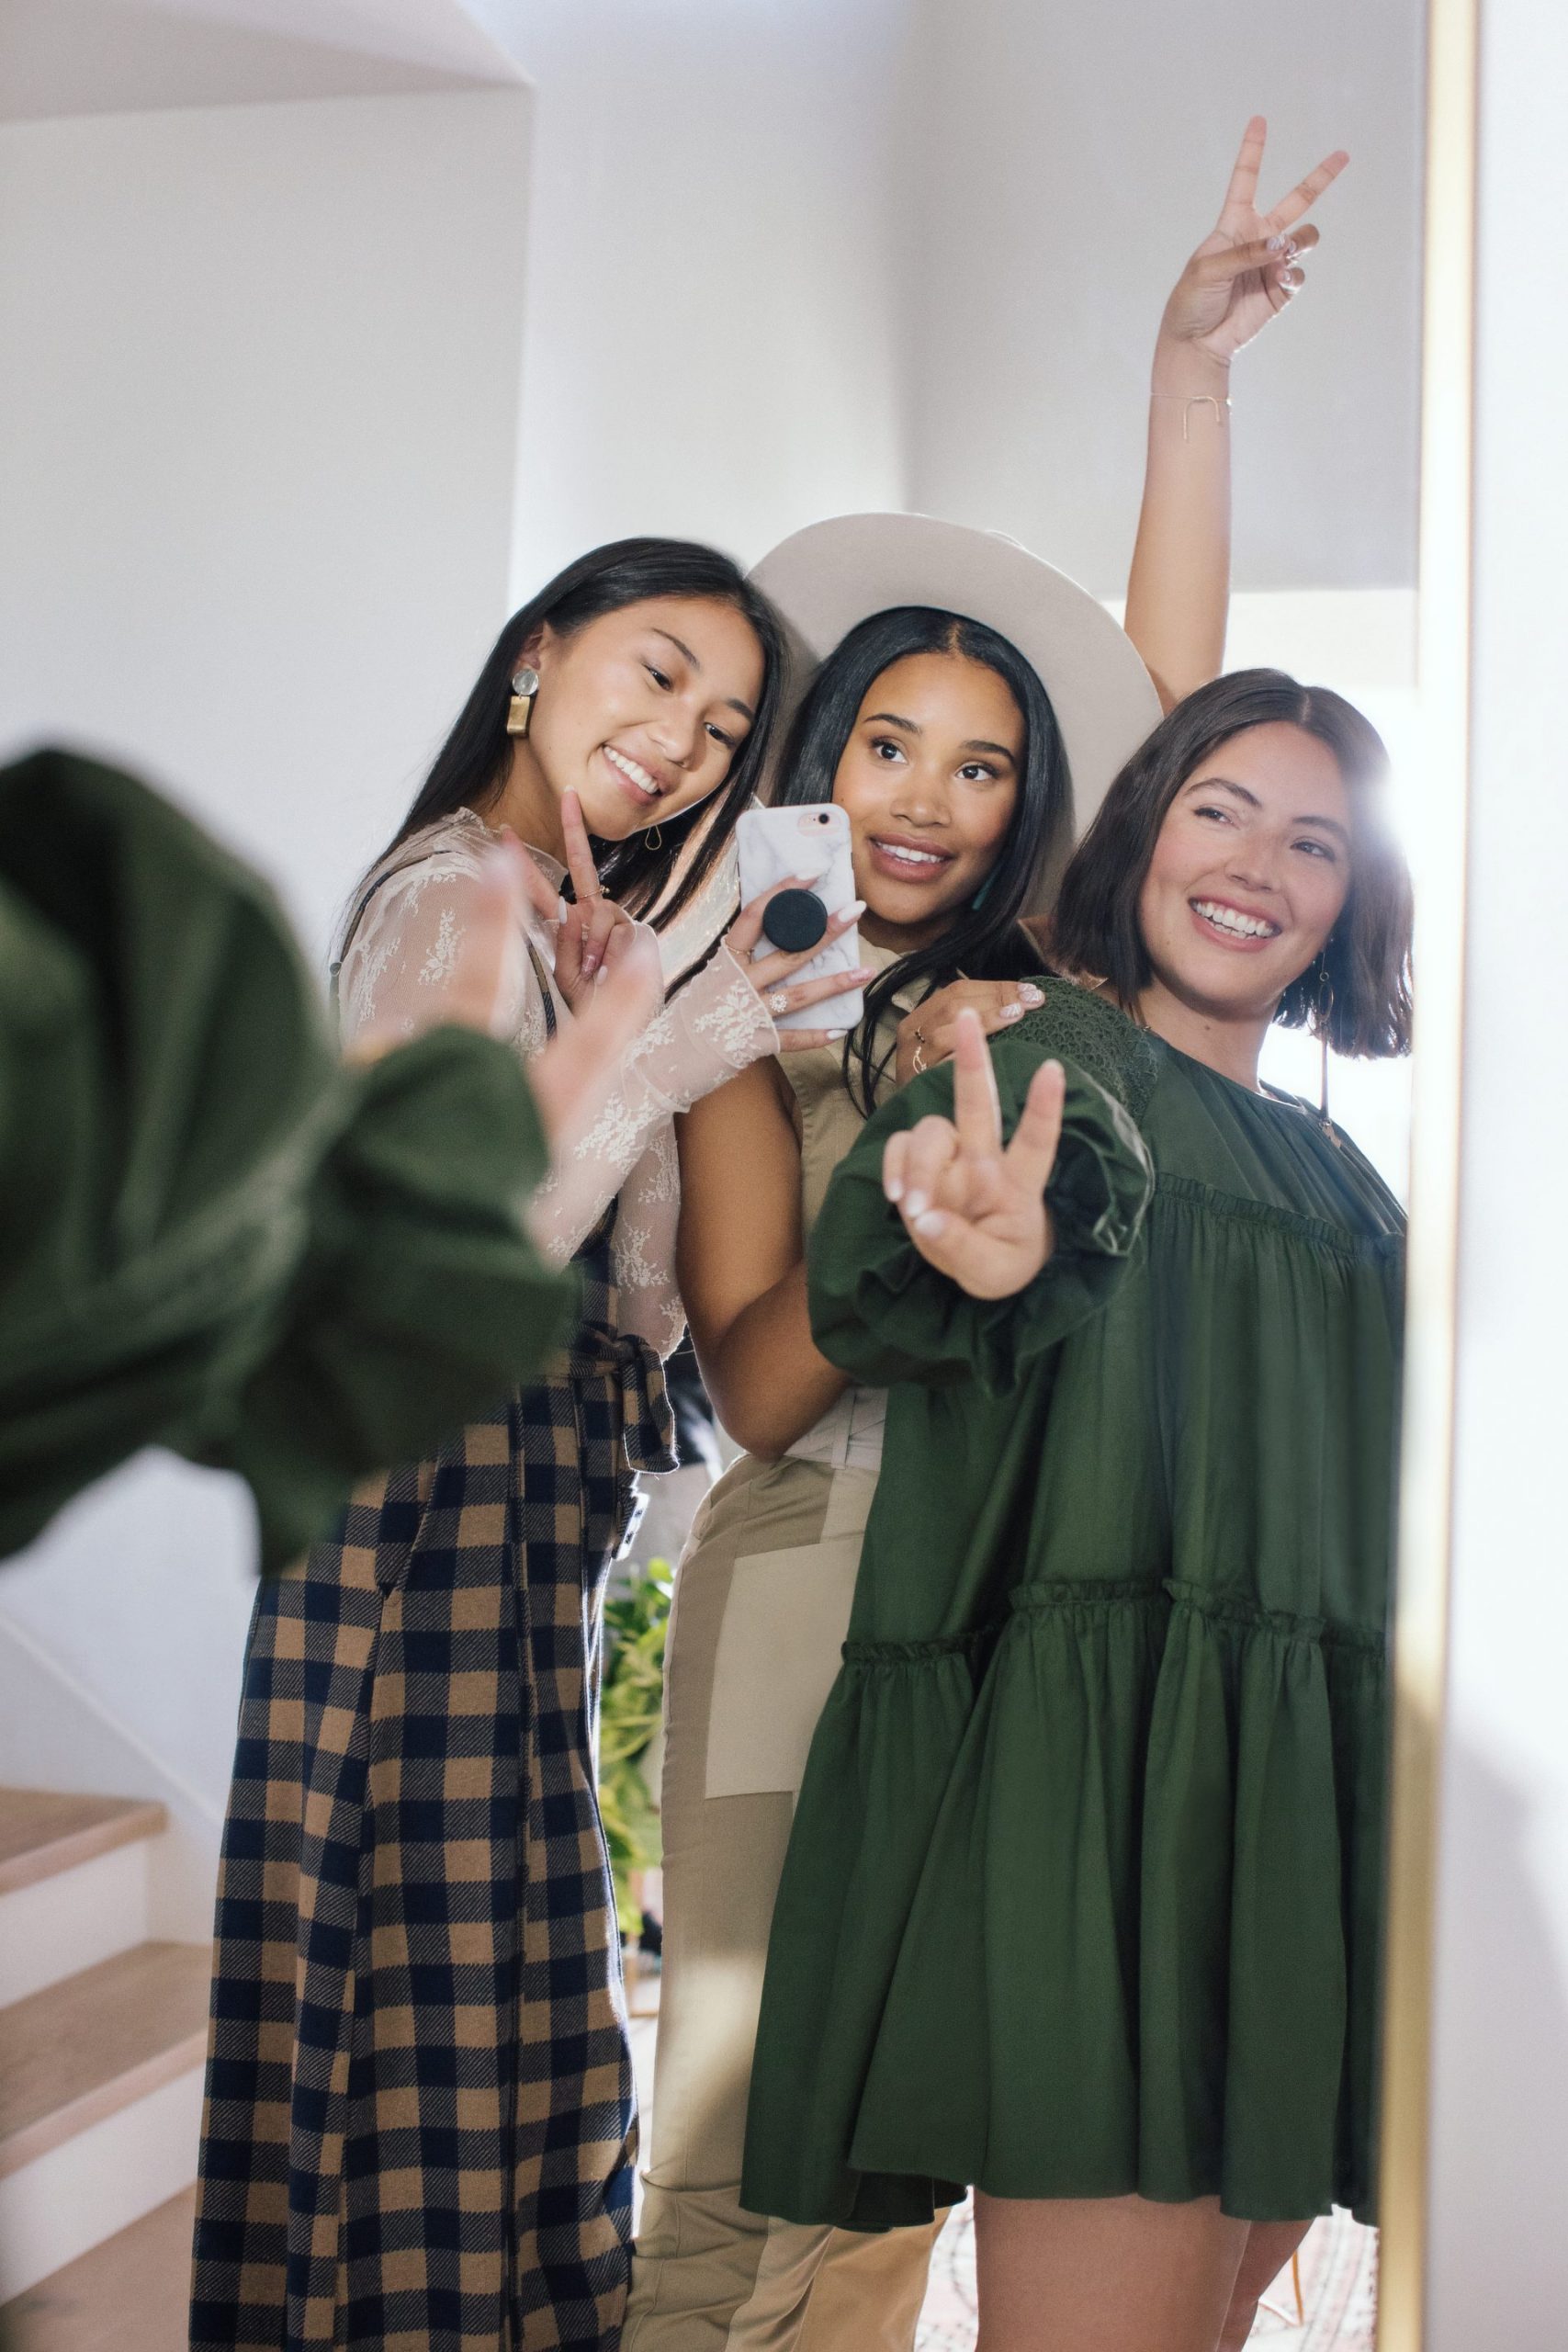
x=95 y=2043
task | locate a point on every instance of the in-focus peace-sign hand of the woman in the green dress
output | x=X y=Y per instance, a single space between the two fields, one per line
x=974 y=1208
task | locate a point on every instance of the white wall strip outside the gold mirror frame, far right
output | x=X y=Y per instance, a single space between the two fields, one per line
x=1501 y=2132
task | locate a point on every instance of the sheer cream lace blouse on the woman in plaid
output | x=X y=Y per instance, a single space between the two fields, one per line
x=406 y=947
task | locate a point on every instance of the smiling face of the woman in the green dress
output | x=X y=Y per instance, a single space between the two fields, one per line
x=1249 y=874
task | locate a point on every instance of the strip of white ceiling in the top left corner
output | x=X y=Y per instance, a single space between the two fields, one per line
x=88 y=58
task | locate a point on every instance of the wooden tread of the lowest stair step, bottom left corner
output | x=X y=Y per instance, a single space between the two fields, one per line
x=130 y=2294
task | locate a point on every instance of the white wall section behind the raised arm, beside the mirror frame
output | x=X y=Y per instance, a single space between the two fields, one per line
x=1061 y=163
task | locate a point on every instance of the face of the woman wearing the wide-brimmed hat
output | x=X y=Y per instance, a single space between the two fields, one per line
x=930 y=782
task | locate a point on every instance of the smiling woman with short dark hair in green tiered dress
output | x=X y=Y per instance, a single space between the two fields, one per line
x=1083 y=1899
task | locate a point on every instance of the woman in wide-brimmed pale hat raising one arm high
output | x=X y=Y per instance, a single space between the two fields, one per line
x=970 y=714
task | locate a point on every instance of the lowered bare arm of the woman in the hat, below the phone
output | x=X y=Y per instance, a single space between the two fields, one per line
x=742 y=1271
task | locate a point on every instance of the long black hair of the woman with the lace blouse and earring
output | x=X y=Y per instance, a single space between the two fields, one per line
x=474 y=761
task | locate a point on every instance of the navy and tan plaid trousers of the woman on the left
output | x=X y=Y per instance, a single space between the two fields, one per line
x=420 y=2102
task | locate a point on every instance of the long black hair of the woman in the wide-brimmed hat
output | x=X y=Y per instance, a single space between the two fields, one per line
x=986 y=940
